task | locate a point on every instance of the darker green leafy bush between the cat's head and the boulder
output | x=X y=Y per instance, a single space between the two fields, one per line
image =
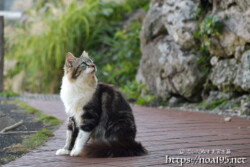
x=123 y=56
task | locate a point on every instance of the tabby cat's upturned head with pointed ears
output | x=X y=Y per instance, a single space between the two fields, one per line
x=79 y=68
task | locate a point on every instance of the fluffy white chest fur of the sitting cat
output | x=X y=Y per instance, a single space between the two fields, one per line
x=74 y=96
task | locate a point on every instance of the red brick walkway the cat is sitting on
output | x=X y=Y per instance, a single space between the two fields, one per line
x=162 y=132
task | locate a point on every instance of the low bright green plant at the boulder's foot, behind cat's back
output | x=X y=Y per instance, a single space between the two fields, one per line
x=137 y=92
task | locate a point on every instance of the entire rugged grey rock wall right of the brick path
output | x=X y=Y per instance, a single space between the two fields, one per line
x=169 y=63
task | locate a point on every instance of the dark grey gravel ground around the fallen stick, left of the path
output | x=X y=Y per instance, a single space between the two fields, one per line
x=8 y=141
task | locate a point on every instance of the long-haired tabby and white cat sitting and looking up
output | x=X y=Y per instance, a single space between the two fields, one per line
x=100 y=120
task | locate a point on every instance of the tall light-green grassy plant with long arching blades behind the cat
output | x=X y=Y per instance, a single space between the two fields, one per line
x=76 y=27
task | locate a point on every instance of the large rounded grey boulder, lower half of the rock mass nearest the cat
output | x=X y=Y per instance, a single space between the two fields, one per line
x=176 y=71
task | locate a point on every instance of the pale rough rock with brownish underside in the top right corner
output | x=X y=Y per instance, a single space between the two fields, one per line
x=236 y=19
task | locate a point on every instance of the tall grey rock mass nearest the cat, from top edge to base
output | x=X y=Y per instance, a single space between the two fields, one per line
x=168 y=66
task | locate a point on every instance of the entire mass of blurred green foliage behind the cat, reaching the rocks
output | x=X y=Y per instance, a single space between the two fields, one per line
x=97 y=26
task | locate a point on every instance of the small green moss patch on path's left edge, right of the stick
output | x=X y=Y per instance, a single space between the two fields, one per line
x=37 y=139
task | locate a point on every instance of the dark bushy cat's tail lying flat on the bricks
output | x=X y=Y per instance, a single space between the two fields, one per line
x=101 y=149
